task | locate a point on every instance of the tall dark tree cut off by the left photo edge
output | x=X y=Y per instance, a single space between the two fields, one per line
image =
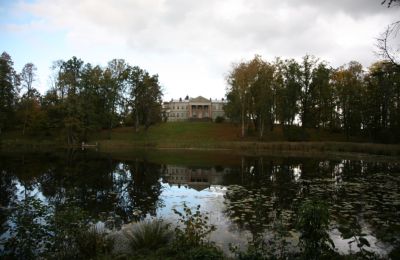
x=9 y=81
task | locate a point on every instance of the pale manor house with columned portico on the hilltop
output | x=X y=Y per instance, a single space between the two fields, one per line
x=198 y=108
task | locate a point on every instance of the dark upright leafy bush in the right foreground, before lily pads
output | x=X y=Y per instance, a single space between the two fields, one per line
x=313 y=222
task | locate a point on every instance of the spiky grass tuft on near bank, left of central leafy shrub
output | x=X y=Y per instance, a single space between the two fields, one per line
x=149 y=235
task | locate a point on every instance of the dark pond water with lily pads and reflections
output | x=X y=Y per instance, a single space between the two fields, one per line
x=244 y=196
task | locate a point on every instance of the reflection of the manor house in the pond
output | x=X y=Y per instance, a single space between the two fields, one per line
x=195 y=178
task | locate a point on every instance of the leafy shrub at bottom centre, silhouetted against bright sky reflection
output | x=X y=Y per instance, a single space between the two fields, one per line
x=195 y=228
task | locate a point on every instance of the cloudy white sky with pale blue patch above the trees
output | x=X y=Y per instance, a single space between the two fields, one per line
x=191 y=44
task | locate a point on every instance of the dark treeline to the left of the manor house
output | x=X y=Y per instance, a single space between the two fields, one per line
x=82 y=99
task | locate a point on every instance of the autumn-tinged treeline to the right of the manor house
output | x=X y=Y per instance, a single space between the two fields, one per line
x=310 y=93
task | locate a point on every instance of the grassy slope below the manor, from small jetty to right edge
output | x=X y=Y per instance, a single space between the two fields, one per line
x=226 y=136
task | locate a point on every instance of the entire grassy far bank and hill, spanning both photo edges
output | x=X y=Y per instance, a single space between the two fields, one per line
x=208 y=135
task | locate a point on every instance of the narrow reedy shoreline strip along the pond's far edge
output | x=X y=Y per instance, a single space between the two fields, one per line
x=247 y=148
